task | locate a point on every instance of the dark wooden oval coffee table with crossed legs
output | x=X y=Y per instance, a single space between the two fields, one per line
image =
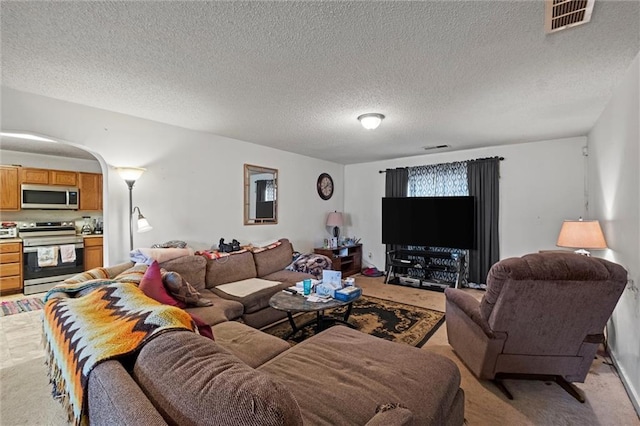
x=293 y=303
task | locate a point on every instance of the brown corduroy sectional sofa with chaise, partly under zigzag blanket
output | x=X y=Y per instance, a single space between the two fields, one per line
x=247 y=377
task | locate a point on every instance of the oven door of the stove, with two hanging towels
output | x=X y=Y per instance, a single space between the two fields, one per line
x=49 y=262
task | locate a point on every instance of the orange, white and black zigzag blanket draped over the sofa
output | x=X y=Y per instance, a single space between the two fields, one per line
x=113 y=320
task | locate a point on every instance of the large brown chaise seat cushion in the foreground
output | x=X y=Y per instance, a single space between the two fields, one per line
x=376 y=370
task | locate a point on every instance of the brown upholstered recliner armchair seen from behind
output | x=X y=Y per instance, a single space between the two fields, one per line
x=542 y=317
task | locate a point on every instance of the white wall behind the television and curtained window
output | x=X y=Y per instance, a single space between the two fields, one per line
x=541 y=184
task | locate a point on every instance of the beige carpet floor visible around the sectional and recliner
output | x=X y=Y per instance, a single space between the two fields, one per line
x=25 y=394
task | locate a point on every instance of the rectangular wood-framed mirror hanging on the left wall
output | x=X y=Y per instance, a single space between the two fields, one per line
x=260 y=195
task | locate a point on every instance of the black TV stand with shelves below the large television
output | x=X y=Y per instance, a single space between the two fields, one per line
x=415 y=268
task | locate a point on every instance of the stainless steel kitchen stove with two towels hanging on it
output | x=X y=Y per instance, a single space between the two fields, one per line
x=52 y=252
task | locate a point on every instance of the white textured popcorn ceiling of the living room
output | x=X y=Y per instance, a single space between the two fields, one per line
x=295 y=75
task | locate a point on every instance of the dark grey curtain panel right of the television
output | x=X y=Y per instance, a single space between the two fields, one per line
x=483 y=178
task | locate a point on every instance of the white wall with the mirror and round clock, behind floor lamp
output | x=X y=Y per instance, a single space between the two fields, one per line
x=193 y=187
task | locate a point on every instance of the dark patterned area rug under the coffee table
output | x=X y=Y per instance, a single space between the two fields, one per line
x=388 y=320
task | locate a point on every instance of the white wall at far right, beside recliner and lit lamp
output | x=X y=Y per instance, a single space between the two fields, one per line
x=614 y=189
